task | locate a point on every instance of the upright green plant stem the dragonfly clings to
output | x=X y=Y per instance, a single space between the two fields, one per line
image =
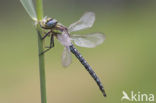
x=39 y=9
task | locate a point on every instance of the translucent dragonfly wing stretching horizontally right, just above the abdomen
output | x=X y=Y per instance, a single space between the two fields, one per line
x=88 y=40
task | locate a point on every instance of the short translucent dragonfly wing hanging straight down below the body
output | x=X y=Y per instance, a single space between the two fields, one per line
x=66 y=57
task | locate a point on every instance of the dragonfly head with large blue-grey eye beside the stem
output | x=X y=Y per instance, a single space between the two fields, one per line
x=48 y=23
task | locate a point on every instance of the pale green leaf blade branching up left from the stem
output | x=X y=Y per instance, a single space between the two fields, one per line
x=29 y=7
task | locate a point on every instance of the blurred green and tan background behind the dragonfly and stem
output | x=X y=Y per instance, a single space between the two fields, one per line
x=125 y=61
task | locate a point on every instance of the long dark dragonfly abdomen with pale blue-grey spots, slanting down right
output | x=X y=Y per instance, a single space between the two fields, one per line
x=88 y=68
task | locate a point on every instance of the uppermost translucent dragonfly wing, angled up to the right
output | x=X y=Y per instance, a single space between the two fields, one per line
x=86 y=21
